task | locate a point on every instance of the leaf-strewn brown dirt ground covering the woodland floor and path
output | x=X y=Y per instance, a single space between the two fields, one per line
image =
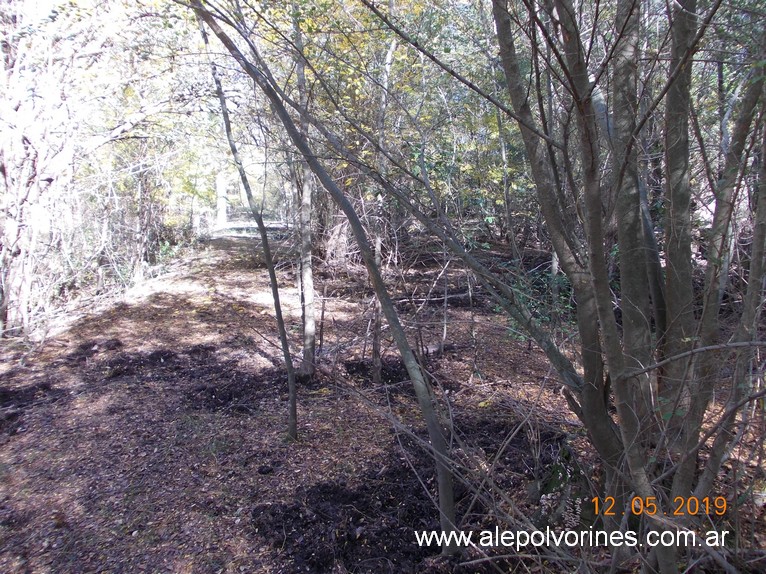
x=148 y=435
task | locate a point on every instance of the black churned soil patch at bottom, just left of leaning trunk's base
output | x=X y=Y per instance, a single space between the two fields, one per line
x=364 y=527
